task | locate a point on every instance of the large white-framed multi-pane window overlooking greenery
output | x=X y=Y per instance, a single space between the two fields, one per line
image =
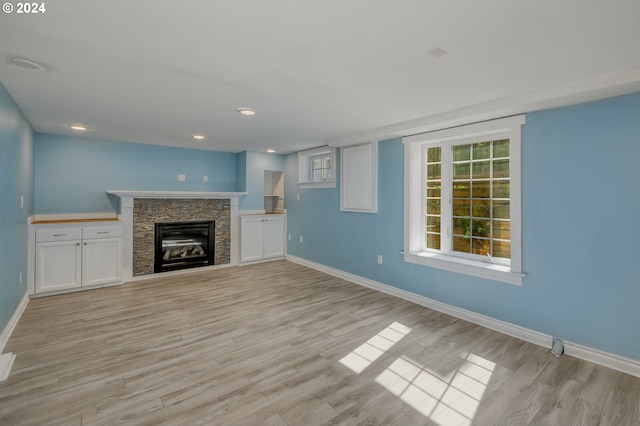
x=462 y=191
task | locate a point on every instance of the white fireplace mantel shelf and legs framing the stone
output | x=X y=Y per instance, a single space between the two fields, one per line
x=126 y=216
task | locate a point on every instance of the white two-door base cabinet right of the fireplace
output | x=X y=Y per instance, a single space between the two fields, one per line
x=262 y=237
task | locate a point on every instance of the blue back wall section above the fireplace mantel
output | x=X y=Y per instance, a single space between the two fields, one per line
x=72 y=173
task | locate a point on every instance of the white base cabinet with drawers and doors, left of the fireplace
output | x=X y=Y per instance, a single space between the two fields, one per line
x=73 y=258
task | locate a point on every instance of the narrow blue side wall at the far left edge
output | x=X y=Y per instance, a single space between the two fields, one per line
x=16 y=180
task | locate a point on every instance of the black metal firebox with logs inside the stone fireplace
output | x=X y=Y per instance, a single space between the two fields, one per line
x=181 y=245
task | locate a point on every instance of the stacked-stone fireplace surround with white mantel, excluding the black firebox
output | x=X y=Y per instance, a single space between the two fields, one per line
x=141 y=210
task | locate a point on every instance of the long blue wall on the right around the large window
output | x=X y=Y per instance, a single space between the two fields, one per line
x=581 y=243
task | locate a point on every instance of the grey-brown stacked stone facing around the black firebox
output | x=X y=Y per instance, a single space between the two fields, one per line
x=148 y=211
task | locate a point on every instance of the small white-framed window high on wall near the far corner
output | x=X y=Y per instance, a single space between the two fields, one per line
x=316 y=168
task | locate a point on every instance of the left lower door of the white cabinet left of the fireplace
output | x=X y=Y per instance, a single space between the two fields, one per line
x=58 y=265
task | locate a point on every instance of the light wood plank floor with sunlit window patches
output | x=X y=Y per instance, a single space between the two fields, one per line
x=281 y=344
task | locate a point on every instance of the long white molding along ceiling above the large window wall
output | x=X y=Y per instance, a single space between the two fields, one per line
x=601 y=87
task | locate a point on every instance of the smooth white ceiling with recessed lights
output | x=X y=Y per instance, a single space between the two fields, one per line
x=316 y=71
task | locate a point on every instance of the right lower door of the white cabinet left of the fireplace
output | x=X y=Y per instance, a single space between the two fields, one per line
x=101 y=261
